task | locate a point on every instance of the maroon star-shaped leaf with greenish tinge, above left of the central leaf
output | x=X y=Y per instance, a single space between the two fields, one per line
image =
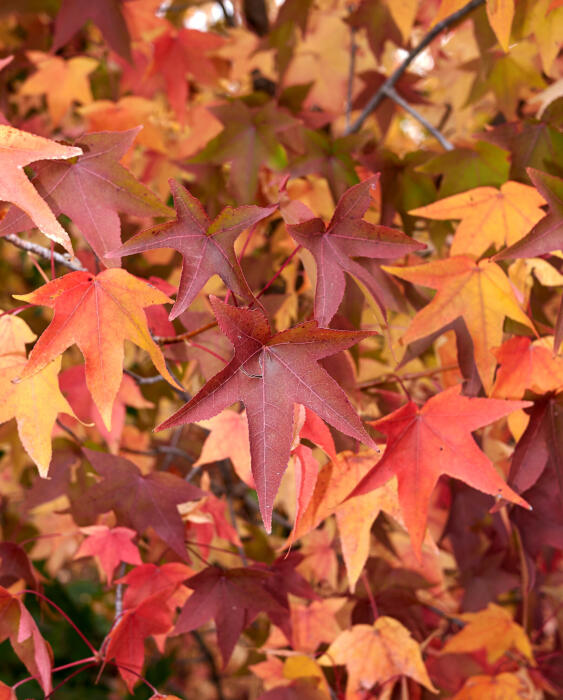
x=207 y=247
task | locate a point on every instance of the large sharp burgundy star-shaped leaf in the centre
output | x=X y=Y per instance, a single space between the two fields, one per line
x=269 y=373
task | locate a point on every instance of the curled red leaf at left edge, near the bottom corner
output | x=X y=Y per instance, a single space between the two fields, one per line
x=17 y=625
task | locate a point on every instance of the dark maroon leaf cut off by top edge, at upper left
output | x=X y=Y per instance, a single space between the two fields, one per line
x=107 y=15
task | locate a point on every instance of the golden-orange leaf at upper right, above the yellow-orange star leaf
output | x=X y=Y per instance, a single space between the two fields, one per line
x=488 y=216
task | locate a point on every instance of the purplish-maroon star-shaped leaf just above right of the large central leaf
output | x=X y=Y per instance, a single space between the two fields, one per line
x=346 y=237
